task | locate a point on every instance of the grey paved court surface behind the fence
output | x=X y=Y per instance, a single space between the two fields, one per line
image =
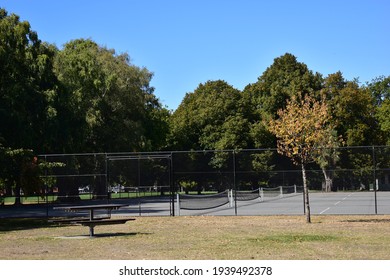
x=339 y=203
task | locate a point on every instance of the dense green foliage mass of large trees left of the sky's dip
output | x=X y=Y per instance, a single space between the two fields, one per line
x=81 y=98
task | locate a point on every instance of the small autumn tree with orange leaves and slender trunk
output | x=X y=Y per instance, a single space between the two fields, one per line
x=303 y=130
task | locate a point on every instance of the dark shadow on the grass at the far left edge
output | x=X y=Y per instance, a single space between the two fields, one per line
x=23 y=224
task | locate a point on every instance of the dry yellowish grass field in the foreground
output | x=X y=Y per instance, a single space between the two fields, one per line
x=272 y=237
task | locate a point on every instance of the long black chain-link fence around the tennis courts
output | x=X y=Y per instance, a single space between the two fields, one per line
x=145 y=178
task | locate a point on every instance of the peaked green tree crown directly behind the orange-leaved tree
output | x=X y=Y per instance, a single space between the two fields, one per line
x=285 y=78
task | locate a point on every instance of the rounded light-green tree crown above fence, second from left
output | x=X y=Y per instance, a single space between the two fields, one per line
x=113 y=105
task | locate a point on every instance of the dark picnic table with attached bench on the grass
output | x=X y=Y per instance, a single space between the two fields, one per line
x=91 y=220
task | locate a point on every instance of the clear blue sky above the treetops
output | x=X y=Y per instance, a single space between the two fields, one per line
x=188 y=42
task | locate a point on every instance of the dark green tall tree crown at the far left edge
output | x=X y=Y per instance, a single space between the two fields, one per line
x=26 y=82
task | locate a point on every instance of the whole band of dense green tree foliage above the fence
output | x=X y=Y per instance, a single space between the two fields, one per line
x=87 y=98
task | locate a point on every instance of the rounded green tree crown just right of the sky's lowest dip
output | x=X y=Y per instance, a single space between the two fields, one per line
x=214 y=116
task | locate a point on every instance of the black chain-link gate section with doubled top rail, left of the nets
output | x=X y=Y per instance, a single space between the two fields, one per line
x=144 y=178
